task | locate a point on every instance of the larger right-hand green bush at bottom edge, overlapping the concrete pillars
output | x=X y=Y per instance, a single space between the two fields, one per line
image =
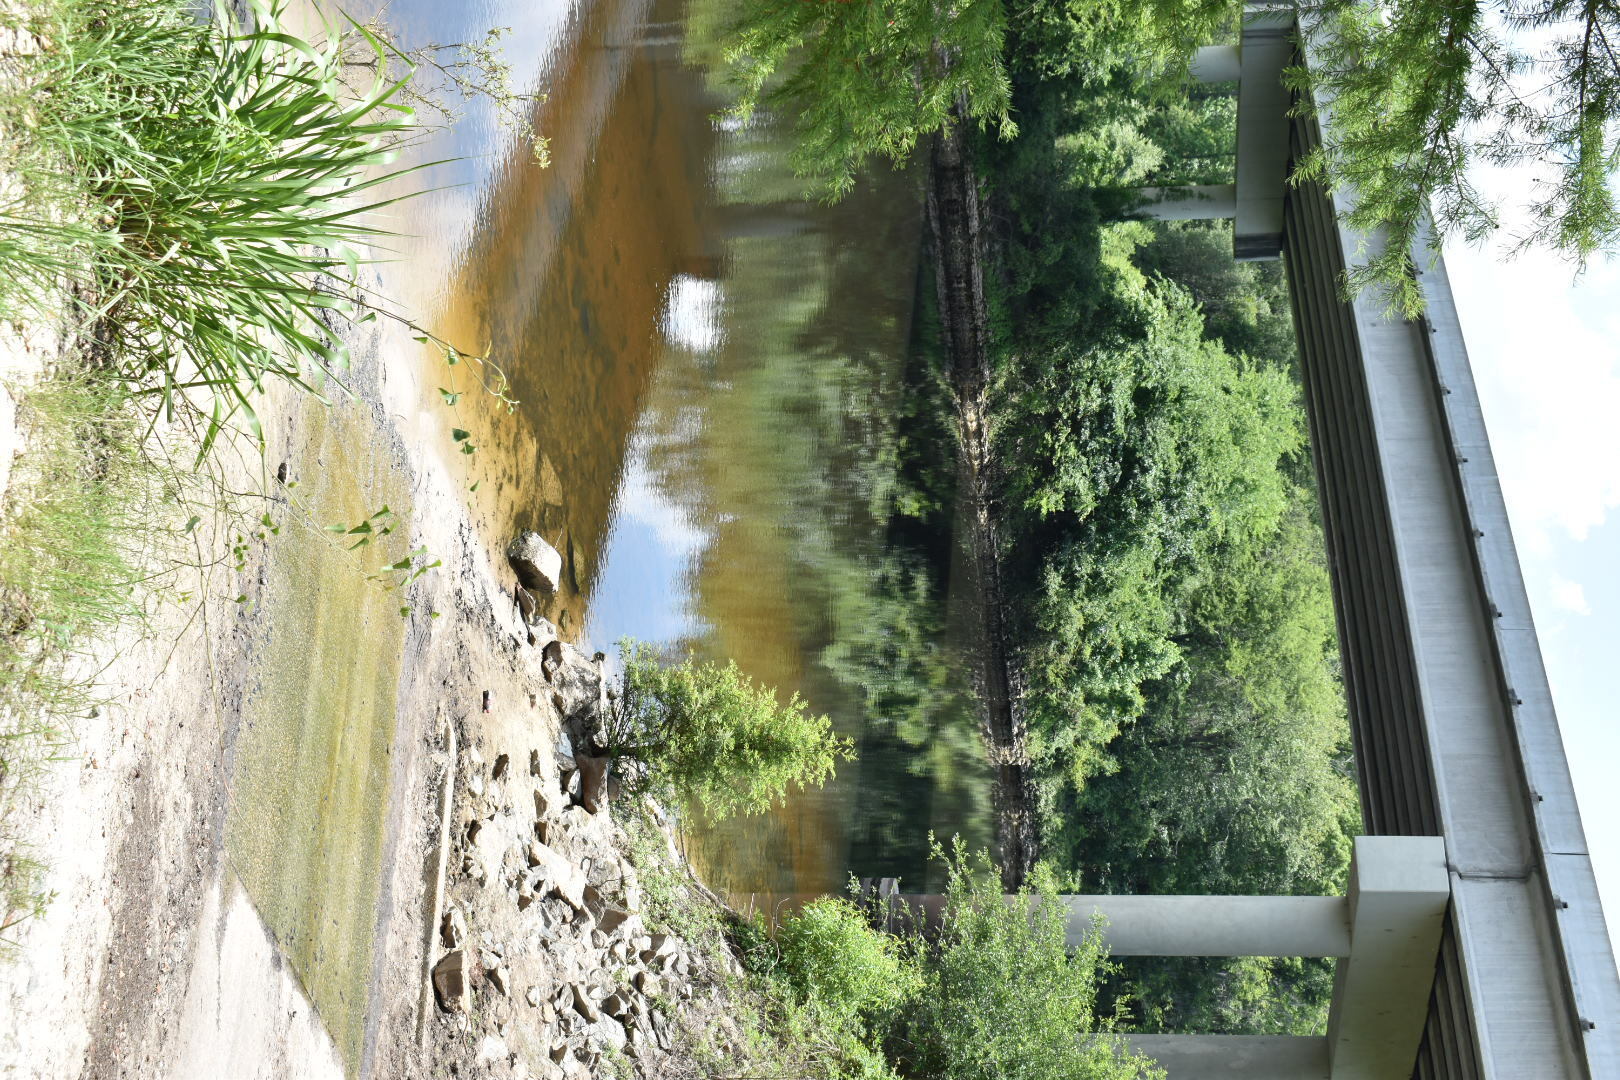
x=1005 y=997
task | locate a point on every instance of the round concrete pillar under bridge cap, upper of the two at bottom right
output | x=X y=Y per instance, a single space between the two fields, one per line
x=1216 y=927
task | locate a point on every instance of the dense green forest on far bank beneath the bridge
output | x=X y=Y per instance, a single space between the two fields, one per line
x=1179 y=639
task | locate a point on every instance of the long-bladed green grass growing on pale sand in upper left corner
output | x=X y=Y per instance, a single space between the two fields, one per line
x=192 y=198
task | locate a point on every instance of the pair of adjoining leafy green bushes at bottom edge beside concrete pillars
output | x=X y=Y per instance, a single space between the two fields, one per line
x=992 y=993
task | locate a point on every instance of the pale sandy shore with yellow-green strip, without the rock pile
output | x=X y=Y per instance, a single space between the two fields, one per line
x=169 y=950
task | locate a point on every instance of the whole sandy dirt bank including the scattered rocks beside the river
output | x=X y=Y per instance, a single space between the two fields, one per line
x=249 y=838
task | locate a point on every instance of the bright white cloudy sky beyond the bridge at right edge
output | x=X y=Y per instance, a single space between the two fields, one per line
x=1545 y=346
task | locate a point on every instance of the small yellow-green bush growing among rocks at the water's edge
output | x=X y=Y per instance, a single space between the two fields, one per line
x=717 y=739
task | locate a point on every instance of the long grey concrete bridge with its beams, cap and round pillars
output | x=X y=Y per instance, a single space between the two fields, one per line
x=1493 y=961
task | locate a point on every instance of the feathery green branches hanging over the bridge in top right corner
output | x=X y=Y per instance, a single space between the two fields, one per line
x=1423 y=91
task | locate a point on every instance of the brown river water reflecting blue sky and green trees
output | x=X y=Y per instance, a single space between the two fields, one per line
x=714 y=423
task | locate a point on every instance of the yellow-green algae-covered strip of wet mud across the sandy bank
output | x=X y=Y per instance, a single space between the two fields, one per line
x=310 y=786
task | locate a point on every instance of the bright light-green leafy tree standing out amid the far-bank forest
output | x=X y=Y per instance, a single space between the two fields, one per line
x=1133 y=457
